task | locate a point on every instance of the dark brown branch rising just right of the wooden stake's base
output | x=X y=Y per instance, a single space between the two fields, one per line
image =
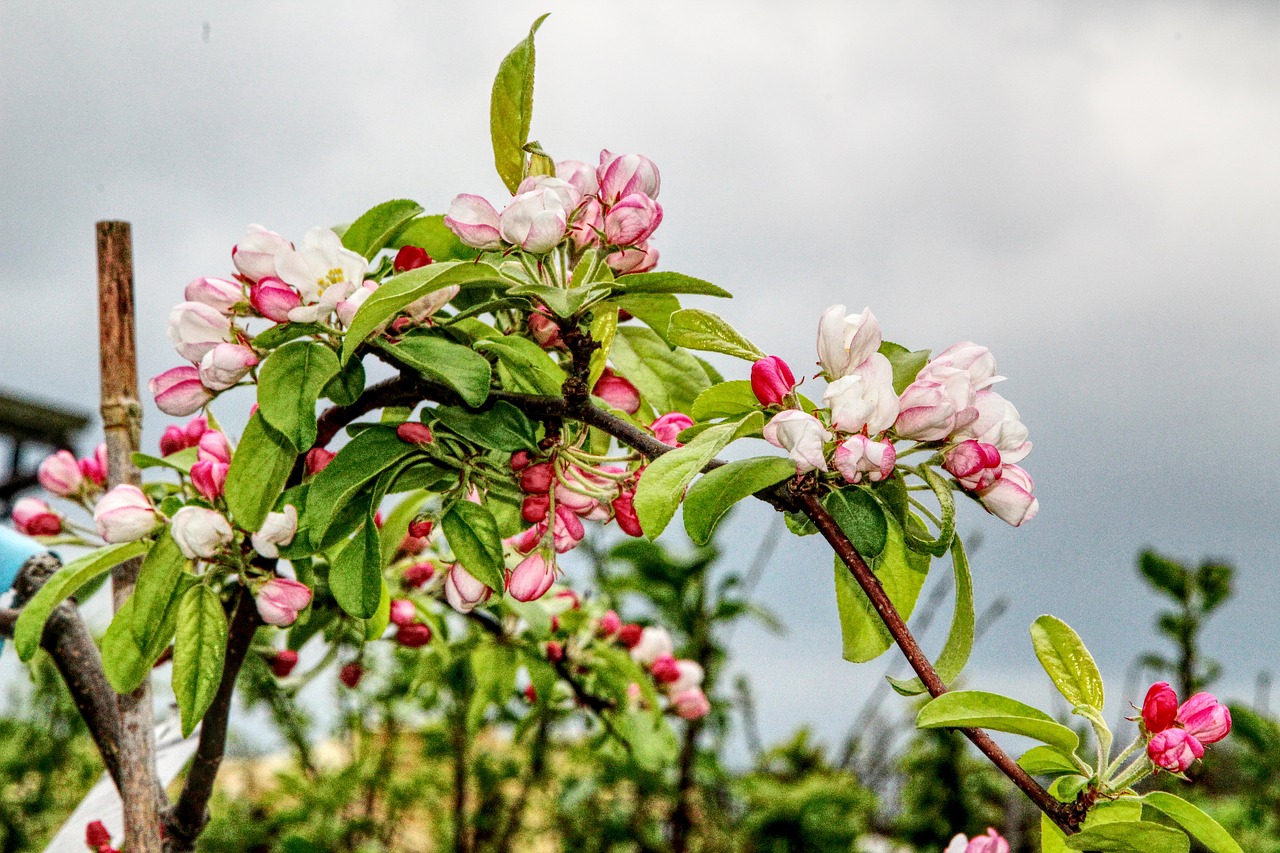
x=188 y=818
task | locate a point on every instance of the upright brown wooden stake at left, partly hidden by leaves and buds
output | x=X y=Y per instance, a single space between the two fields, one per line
x=122 y=422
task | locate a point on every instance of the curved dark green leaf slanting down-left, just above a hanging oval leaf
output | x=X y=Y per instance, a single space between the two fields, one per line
x=368 y=455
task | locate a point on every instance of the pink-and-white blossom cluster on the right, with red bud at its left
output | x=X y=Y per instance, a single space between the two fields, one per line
x=949 y=407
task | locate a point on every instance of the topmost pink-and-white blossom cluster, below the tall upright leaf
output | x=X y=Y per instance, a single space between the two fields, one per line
x=612 y=207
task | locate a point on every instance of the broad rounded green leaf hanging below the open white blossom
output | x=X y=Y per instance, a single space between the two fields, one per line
x=289 y=385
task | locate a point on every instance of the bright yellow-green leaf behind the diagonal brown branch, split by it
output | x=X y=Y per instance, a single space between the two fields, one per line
x=902 y=573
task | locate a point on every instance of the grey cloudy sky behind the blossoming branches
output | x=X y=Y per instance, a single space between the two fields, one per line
x=1090 y=189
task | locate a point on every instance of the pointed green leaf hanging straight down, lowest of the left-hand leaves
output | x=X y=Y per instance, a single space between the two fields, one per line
x=199 y=651
